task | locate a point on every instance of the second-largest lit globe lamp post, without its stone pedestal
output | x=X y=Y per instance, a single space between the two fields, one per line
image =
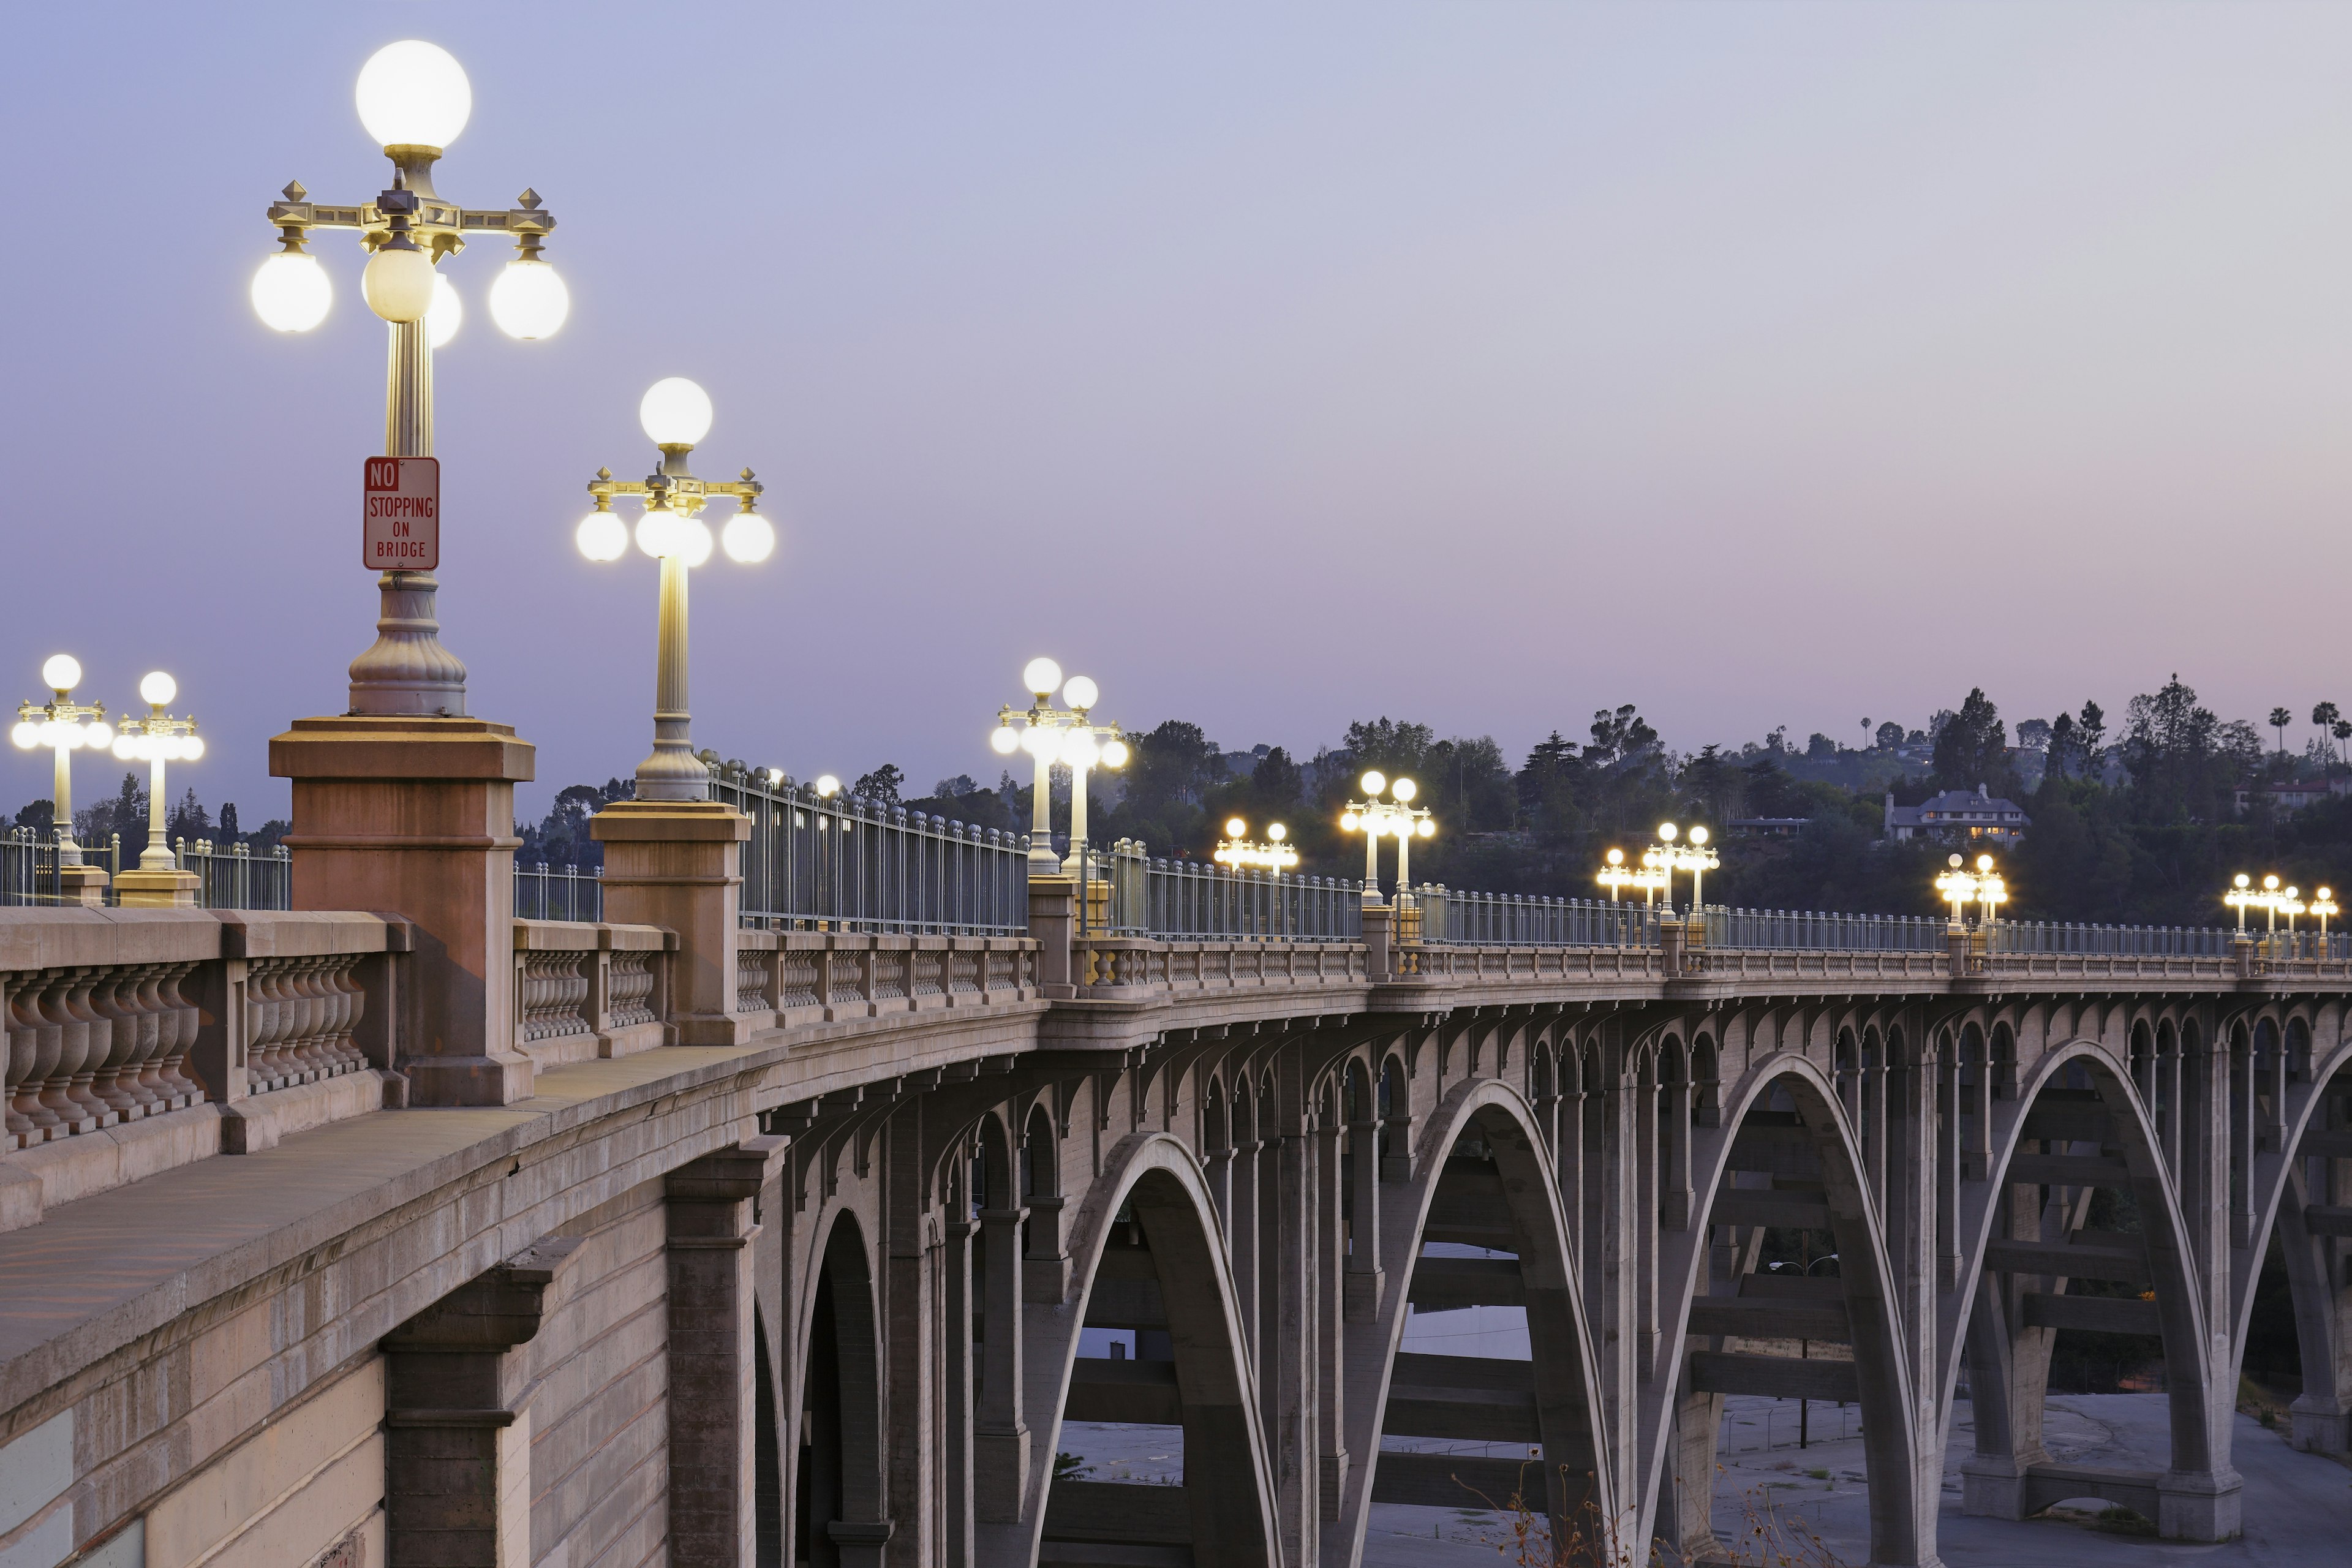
x=676 y=415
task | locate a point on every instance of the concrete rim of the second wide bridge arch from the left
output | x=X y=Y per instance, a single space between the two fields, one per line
x=1565 y=1379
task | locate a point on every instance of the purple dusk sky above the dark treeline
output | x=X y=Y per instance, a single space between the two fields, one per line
x=1478 y=366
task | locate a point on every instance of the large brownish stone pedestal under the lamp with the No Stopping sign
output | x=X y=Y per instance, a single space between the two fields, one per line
x=417 y=819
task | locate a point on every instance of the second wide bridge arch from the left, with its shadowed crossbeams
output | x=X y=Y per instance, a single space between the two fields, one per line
x=1481 y=1167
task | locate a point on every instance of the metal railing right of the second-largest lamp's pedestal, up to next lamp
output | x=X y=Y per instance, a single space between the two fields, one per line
x=846 y=866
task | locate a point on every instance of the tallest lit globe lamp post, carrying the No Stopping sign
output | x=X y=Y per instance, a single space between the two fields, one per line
x=413 y=100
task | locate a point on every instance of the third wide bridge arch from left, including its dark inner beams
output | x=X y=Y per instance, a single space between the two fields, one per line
x=1793 y=1158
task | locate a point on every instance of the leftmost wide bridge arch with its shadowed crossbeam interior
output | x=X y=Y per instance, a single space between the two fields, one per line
x=1149 y=1254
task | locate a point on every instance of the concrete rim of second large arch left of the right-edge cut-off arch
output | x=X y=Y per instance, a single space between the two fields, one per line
x=1902 y=1506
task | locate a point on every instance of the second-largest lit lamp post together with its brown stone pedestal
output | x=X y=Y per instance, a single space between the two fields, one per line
x=674 y=857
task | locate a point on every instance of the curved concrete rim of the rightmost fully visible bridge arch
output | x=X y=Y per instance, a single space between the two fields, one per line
x=2196 y=1430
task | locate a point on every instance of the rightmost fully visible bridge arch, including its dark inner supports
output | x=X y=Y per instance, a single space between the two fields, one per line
x=2026 y=1240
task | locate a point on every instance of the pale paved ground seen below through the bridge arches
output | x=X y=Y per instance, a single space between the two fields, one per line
x=2299 y=1508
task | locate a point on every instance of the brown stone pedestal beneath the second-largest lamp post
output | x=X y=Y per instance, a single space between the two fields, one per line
x=681 y=864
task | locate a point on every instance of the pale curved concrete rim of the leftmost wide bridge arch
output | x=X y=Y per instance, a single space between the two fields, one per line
x=1229 y=1480
